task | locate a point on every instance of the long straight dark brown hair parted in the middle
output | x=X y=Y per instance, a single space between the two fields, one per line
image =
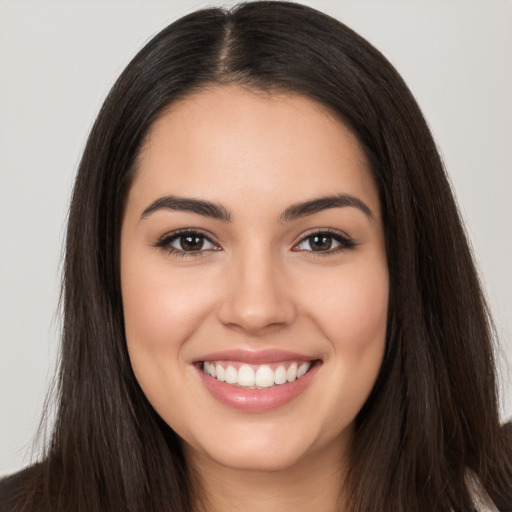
x=432 y=415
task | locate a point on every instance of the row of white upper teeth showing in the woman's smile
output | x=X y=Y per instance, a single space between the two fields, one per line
x=256 y=376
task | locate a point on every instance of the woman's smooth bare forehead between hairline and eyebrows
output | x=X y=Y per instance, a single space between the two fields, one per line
x=226 y=142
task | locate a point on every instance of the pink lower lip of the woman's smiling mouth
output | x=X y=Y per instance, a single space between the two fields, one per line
x=257 y=400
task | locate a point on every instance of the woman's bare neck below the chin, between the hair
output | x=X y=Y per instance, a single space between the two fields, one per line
x=314 y=483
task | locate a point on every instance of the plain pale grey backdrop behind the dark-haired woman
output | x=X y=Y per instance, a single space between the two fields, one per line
x=57 y=63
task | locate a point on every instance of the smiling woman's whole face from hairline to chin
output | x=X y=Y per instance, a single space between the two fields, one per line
x=252 y=248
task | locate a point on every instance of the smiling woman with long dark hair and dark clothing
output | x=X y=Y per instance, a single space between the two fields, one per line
x=269 y=299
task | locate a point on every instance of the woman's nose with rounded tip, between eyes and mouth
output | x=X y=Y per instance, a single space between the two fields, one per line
x=257 y=297
